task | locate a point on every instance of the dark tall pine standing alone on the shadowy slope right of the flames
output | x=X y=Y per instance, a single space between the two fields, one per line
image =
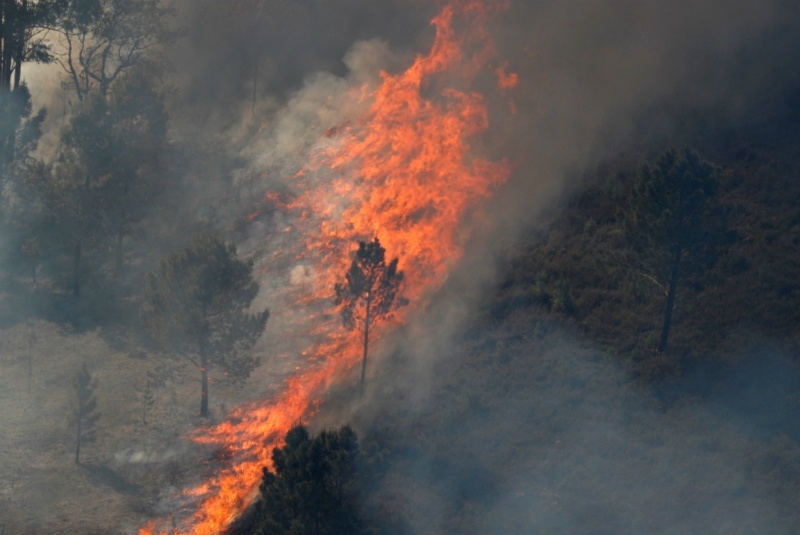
x=674 y=200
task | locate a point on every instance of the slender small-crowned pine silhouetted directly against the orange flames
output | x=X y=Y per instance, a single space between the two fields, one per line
x=369 y=294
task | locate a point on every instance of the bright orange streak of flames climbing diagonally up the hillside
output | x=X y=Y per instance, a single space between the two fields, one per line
x=404 y=172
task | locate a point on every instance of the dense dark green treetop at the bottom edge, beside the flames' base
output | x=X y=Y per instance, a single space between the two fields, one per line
x=314 y=488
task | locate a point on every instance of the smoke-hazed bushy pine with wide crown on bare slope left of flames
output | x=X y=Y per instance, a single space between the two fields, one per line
x=197 y=305
